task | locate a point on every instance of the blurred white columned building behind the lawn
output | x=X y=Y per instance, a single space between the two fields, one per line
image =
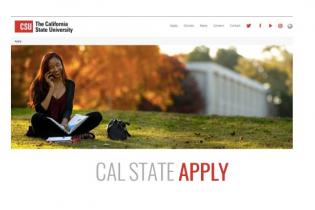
x=226 y=92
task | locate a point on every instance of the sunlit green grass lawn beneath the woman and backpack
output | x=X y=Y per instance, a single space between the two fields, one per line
x=169 y=130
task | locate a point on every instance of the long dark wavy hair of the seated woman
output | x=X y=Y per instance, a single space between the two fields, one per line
x=39 y=87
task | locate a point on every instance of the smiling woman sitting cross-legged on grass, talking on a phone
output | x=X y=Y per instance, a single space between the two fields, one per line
x=51 y=94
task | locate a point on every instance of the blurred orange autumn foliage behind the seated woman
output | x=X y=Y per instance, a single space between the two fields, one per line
x=106 y=77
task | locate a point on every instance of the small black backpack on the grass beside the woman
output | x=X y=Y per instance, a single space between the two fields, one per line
x=117 y=130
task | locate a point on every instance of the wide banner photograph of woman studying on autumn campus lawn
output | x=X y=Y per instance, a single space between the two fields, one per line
x=151 y=97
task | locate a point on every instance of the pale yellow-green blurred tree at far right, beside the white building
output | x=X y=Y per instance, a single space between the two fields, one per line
x=275 y=70
